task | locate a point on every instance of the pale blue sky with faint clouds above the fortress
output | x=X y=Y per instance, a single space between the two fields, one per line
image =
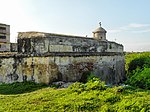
x=127 y=21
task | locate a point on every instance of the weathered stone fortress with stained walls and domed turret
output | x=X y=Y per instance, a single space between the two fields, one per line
x=48 y=57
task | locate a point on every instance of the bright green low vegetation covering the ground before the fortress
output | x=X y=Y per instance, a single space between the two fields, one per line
x=116 y=99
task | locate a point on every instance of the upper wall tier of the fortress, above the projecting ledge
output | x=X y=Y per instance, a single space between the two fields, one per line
x=41 y=45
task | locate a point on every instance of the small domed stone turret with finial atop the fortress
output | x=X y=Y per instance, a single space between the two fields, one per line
x=100 y=33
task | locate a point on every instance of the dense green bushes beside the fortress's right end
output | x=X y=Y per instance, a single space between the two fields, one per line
x=138 y=69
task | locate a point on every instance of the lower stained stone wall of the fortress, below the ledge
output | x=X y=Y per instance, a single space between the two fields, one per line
x=46 y=69
